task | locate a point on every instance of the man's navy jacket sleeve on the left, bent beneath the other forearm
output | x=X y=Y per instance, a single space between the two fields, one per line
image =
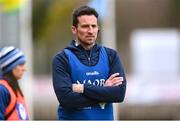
x=63 y=85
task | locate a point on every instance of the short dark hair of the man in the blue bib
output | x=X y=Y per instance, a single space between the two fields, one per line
x=83 y=10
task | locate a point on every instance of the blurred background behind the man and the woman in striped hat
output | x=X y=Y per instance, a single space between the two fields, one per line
x=146 y=33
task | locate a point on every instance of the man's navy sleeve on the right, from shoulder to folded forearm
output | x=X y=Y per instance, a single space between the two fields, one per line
x=109 y=94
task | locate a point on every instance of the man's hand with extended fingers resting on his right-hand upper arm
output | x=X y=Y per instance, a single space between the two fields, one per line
x=114 y=80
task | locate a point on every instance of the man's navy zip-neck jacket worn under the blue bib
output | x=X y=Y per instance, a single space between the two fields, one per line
x=92 y=94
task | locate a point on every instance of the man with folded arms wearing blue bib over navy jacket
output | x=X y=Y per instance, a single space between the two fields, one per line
x=87 y=77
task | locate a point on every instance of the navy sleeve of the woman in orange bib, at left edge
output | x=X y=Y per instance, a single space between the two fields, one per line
x=4 y=101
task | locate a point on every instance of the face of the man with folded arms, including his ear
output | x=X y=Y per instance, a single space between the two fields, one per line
x=86 y=30
